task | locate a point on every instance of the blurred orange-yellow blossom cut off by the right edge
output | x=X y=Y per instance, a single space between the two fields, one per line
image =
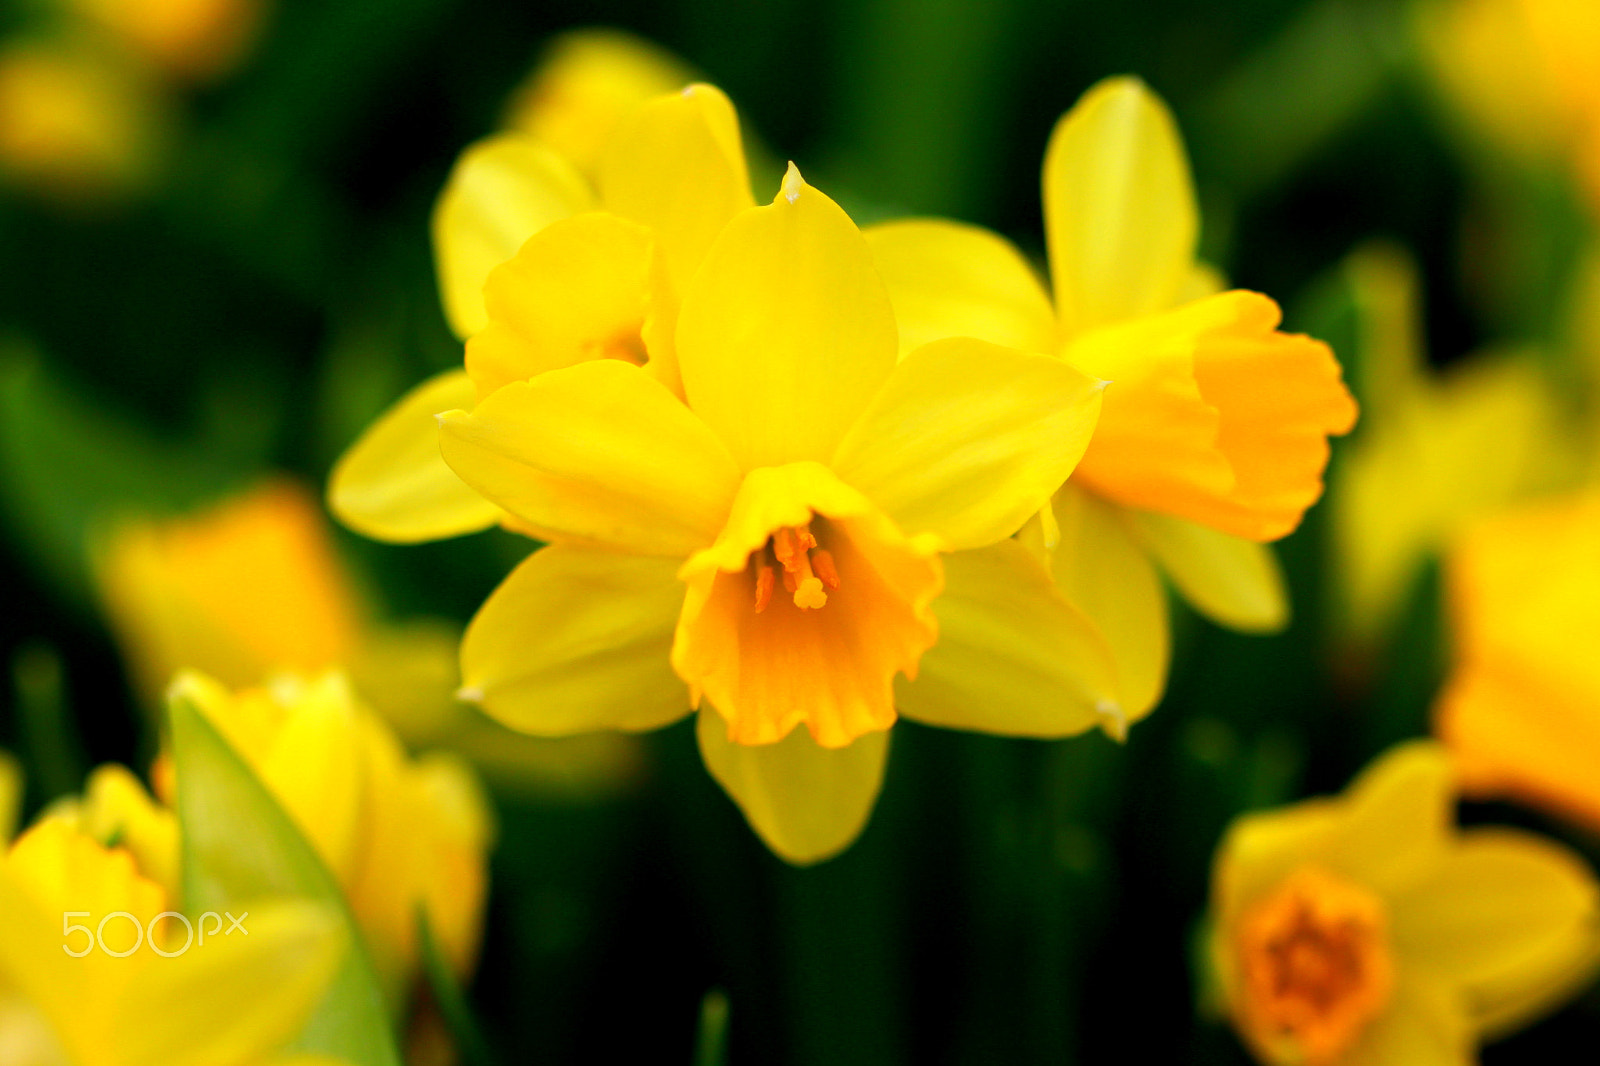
x=1522 y=707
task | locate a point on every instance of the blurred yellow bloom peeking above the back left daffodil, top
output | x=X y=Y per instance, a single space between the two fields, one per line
x=583 y=89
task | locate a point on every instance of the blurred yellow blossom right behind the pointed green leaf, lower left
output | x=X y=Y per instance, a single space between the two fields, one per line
x=396 y=833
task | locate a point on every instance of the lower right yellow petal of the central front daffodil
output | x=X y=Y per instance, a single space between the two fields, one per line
x=1014 y=657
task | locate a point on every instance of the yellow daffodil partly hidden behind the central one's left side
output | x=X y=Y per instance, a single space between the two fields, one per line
x=542 y=271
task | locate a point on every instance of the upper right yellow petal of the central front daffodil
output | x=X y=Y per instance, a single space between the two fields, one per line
x=967 y=439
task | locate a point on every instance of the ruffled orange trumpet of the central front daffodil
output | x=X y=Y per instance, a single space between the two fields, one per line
x=772 y=663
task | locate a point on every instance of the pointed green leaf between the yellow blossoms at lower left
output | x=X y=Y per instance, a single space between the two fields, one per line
x=239 y=844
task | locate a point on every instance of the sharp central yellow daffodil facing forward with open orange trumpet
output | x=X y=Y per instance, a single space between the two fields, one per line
x=769 y=545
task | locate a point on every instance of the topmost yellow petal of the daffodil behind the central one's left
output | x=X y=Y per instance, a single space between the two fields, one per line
x=676 y=166
